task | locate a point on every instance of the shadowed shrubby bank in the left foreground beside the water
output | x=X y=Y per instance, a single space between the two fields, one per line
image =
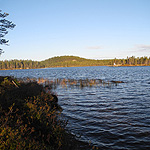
x=30 y=118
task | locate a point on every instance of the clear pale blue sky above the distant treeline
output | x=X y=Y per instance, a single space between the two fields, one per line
x=95 y=29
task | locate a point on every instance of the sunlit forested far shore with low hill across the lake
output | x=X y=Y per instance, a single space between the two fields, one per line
x=73 y=61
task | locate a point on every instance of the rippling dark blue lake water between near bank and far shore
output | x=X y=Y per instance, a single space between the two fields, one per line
x=110 y=117
